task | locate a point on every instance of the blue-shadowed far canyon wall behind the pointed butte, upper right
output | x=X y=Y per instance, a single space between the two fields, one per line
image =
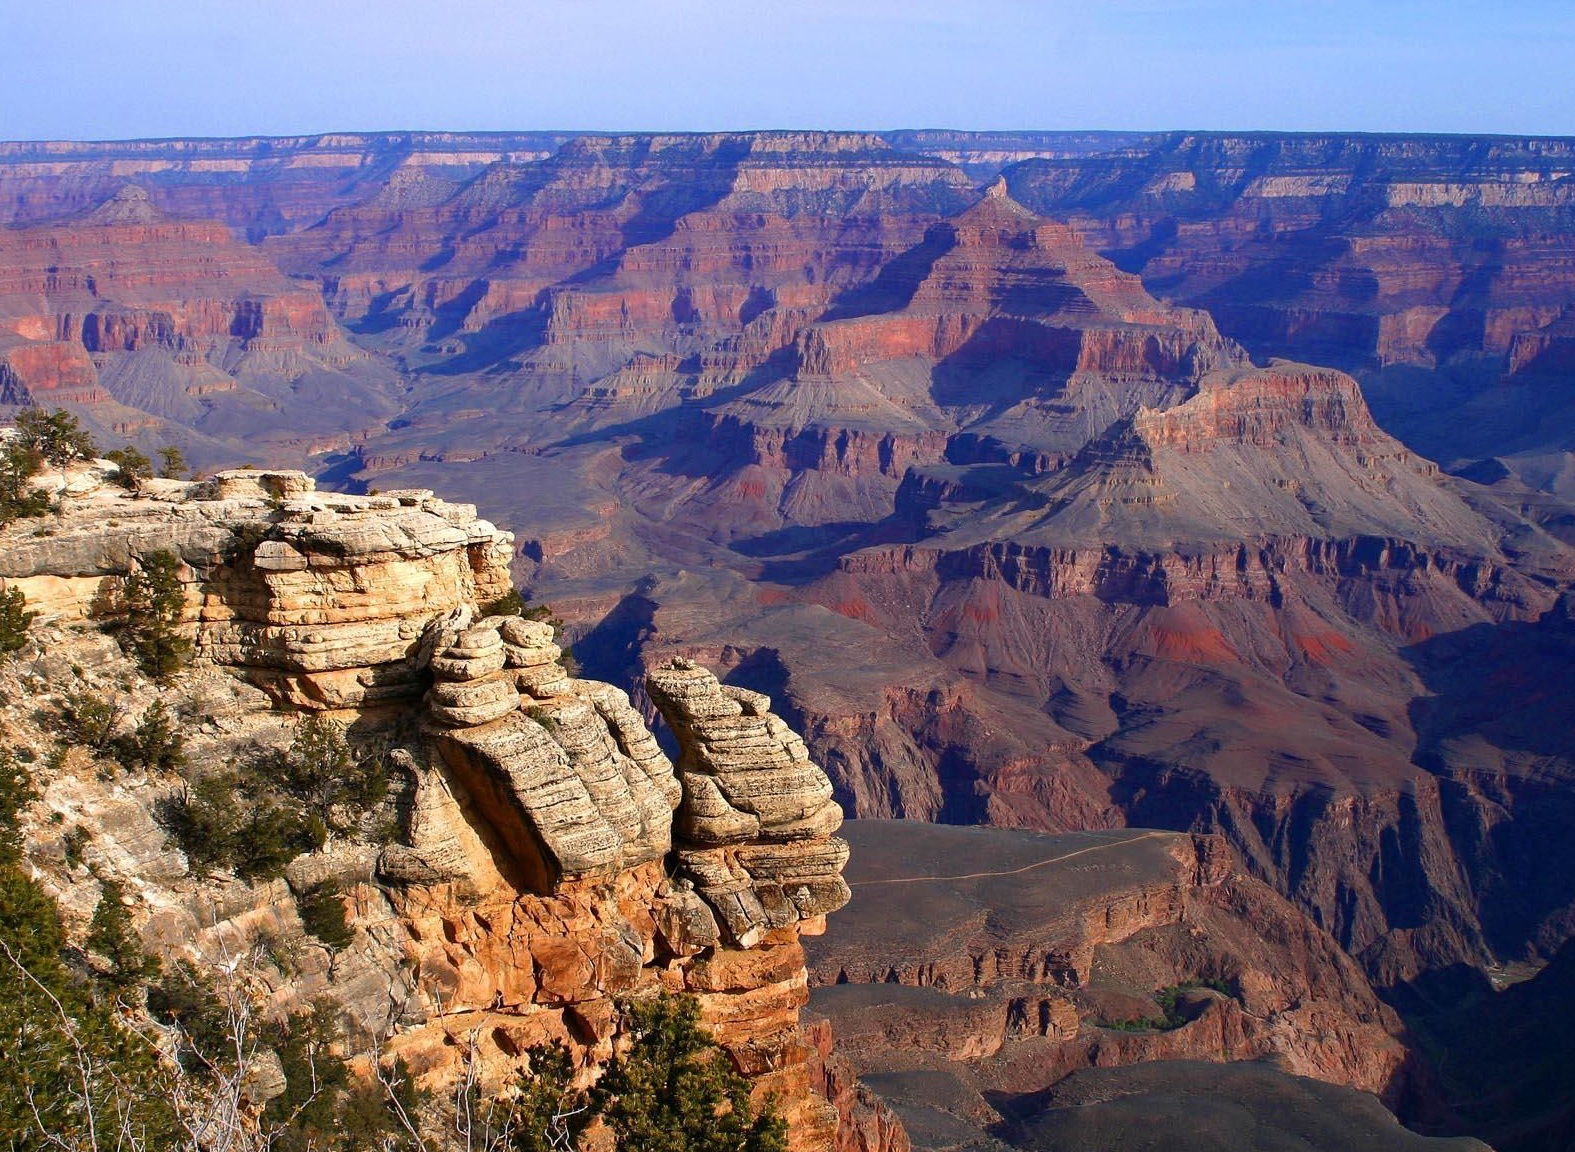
x=1428 y=266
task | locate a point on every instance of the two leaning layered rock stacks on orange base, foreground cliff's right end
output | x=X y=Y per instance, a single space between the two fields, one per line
x=582 y=798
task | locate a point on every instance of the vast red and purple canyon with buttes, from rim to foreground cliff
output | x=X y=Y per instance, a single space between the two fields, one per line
x=1025 y=472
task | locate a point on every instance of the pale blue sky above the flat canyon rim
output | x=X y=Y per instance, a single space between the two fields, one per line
x=124 y=69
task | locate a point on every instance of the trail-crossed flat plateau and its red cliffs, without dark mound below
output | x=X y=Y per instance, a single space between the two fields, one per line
x=1001 y=962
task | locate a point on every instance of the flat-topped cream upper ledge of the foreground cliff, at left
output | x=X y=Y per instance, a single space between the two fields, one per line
x=321 y=598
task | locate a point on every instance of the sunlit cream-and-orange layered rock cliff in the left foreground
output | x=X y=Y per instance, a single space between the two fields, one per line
x=550 y=863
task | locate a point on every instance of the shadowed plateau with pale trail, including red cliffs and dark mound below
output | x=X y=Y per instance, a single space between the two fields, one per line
x=1128 y=989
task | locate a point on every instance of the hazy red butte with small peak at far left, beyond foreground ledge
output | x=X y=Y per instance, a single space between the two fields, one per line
x=166 y=330
